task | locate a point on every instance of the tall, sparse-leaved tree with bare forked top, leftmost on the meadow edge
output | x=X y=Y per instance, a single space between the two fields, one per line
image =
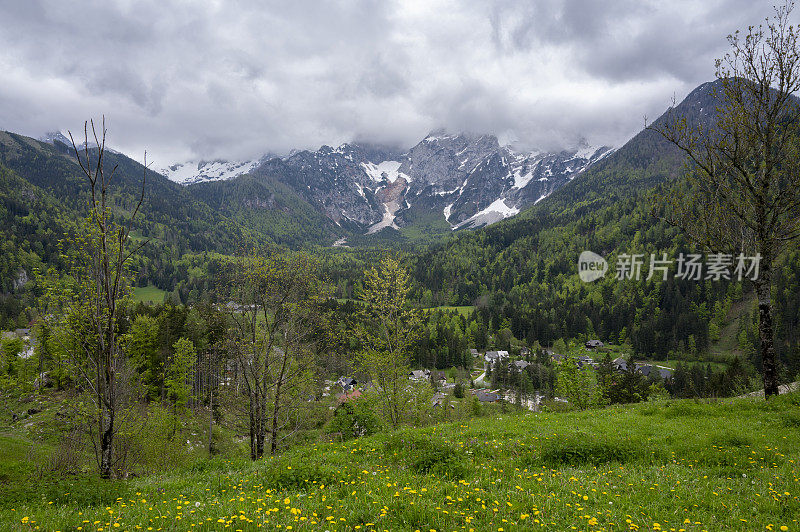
x=89 y=301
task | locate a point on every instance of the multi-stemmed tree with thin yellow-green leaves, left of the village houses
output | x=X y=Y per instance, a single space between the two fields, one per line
x=277 y=315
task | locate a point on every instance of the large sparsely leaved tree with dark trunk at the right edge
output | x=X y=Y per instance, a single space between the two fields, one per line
x=743 y=190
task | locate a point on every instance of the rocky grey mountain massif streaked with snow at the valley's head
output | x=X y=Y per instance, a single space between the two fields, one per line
x=469 y=180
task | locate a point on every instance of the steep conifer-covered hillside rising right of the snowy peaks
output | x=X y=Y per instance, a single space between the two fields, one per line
x=522 y=271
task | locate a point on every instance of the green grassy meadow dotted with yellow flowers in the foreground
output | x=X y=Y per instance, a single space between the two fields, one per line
x=678 y=465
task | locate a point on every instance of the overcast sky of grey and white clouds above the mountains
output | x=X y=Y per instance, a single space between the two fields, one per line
x=236 y=79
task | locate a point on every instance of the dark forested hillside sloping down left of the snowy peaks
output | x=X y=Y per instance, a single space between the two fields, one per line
x=43 y=195
